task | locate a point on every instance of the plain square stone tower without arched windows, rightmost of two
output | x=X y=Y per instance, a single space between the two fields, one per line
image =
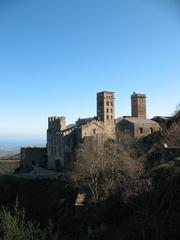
x=138 y=105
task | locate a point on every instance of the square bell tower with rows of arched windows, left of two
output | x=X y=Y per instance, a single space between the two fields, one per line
x=106 y=111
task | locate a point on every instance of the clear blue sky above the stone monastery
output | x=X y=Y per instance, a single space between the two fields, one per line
x=55 y=55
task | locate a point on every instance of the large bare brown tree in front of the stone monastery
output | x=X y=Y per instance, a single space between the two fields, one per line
x=106 y=167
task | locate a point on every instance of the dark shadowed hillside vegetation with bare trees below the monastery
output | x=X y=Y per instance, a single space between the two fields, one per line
x=124 y=193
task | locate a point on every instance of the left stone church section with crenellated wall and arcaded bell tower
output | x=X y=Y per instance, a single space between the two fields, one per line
x=62 y=139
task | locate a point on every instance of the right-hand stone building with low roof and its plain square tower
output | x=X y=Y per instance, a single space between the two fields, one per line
x=137 y=125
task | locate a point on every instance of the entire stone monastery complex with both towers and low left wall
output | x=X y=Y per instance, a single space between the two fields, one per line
x=62 y=139
